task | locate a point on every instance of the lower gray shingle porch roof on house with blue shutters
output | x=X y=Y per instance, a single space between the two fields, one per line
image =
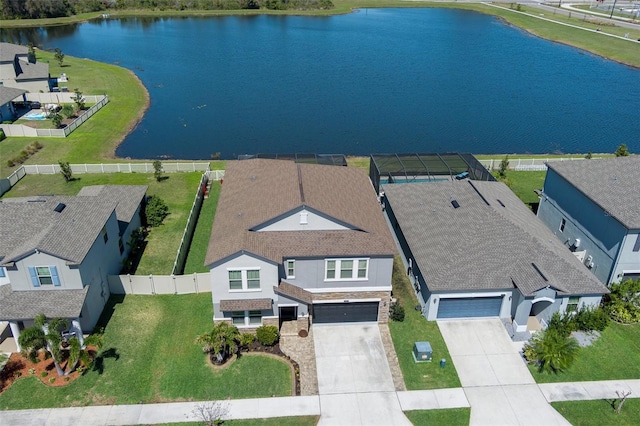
x=22 y=305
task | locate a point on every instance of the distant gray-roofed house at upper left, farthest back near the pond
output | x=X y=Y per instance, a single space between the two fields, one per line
x=16 y=70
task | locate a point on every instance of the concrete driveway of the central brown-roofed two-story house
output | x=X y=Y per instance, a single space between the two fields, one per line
x=354 y=380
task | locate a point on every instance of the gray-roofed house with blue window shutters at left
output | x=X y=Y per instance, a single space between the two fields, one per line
x=57 y=252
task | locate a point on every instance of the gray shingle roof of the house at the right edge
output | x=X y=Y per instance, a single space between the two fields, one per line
x=611 y=183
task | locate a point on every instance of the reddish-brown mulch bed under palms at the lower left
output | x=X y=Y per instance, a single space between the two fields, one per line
x=18 y=367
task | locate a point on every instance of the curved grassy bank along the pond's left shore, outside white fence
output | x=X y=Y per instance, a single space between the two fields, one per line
x=97 y=139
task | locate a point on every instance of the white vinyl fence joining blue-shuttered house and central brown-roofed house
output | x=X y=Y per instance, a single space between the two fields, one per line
x=160 y=284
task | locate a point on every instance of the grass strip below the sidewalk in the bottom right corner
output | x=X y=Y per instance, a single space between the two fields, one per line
x=599 y=412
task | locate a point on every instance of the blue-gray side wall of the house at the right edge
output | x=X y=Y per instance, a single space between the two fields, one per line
x=600 y=234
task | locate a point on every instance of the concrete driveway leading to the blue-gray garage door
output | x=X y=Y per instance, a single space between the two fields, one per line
x=498 y=385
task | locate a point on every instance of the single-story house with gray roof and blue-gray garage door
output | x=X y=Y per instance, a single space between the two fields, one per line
x=475 y=250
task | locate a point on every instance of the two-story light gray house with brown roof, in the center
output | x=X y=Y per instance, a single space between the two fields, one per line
x=301 y=242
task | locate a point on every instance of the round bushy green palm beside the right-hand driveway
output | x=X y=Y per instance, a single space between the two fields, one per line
x=553 y=351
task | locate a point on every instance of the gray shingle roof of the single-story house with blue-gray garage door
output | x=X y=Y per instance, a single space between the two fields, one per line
x=483 y=245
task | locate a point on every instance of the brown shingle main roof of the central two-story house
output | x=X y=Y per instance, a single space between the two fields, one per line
x=257 y=190
